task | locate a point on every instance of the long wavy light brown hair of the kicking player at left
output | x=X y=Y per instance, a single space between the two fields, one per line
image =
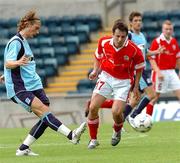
x=29 y=18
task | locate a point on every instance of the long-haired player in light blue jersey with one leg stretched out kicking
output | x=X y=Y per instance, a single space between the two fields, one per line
x=24 y=85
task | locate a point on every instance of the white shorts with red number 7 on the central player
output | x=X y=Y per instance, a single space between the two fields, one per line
x=109 y=86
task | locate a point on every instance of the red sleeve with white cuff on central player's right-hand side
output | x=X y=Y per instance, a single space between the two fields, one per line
x=139 y=60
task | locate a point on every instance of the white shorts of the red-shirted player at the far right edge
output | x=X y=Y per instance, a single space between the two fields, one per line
x=171 y=81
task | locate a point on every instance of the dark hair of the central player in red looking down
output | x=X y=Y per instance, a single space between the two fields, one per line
x=121 y=25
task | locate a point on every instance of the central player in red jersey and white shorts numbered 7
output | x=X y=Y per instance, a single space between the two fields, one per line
x=117 y=57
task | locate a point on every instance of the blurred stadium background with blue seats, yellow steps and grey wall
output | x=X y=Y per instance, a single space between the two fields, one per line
x=65 y=46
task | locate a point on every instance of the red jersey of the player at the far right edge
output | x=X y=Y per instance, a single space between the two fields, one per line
x=166 y=60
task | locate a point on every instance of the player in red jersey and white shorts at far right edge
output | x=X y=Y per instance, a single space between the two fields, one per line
x=164 y=76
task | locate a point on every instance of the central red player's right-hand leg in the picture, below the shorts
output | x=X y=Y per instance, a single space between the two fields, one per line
x=117 y=110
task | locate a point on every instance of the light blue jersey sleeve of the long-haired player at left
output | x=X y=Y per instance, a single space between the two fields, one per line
x=12 y=51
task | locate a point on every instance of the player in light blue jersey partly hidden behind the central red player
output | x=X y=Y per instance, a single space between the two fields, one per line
x=135 y=34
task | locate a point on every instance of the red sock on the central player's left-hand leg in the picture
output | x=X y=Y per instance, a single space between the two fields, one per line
x=93 y=127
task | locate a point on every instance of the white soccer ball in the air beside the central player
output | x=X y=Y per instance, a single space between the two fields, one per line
x=142 y=122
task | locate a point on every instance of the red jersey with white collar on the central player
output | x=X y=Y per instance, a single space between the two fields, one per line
x=119 y=62
